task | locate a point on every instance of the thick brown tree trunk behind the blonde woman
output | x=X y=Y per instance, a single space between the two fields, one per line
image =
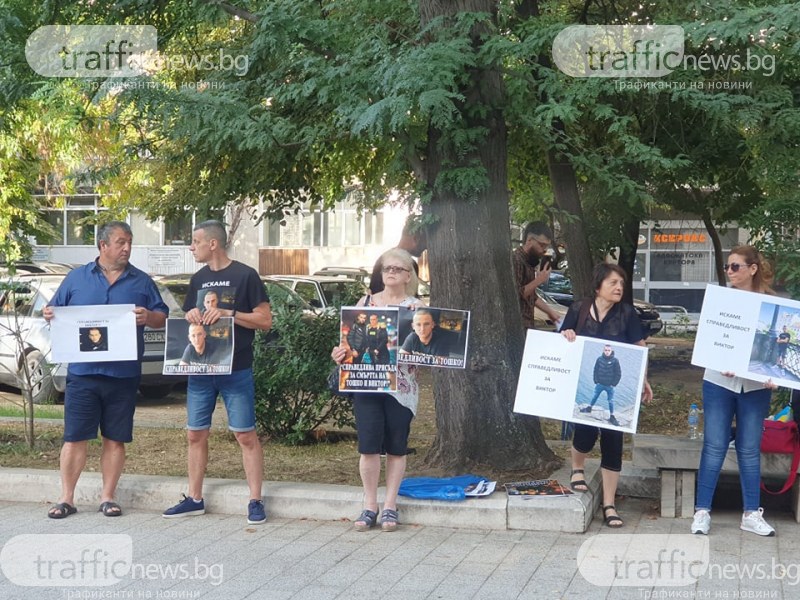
x=469 y=250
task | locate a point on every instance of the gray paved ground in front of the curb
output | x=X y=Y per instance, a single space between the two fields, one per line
x=220 y=556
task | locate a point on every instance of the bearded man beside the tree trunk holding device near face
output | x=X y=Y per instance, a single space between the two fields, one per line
x=532 y=269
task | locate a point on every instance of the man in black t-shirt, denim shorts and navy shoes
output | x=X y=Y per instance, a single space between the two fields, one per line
x=241 y=295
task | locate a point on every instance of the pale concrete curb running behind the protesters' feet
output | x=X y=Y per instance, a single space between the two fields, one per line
x=287 y=500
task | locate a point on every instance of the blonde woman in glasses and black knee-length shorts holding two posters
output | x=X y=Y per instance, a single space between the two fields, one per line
x=383 y=420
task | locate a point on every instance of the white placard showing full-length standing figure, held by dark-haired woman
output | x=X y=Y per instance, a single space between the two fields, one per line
x=558 y=380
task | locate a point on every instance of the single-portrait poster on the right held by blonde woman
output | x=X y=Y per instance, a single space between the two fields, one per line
x=433 y=337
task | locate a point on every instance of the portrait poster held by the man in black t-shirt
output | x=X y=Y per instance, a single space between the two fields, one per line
x=198 y=349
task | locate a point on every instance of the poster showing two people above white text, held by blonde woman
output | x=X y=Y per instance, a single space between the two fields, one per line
x=370 y=336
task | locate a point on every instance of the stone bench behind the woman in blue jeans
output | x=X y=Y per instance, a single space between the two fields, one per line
x=677 y=460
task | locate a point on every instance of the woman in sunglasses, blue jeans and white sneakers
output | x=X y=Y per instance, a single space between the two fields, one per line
x=726 y=396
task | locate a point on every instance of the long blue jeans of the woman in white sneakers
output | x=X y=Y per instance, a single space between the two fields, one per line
x=719 y=407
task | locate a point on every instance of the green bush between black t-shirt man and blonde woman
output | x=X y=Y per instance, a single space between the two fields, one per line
x=291 y=373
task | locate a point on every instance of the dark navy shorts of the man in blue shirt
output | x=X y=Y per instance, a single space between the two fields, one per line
x=94 y=401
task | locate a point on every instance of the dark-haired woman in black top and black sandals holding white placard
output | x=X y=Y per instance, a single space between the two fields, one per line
x=605 y=317
